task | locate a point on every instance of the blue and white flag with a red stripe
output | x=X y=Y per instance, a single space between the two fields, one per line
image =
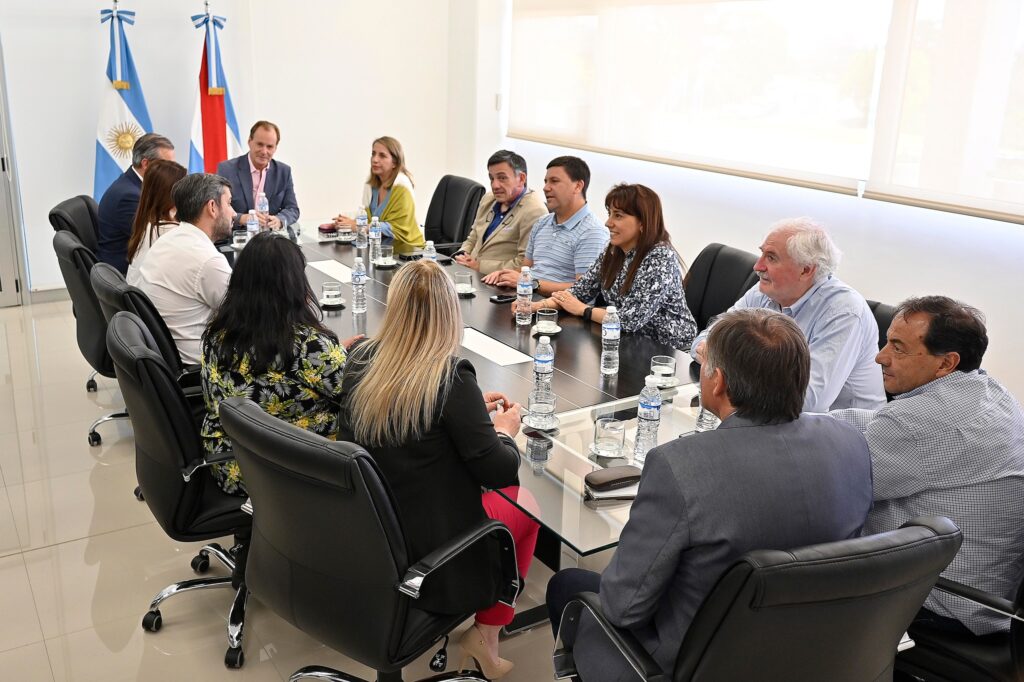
x=216 y=130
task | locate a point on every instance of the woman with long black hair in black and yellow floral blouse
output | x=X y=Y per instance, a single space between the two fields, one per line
x=268 y=343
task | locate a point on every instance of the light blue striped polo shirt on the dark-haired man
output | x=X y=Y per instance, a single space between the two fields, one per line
x=563 y=251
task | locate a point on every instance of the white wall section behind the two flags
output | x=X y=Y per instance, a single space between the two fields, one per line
x=56 y=56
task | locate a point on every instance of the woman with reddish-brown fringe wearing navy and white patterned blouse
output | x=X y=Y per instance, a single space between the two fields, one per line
x=639 y=273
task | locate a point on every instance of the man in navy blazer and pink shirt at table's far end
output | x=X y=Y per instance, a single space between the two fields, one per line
x=258 y=172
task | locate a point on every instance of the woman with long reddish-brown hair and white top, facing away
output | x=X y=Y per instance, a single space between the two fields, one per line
x=155 y=215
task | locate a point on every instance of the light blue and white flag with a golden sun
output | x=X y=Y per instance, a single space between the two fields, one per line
x=124 y=117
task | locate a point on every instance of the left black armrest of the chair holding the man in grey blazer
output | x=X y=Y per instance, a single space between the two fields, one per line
x=625 y=642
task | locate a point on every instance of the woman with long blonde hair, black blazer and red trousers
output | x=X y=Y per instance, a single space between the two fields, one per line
x=418 y=410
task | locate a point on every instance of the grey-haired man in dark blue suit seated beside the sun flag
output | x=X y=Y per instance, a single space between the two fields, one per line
x=118 y=206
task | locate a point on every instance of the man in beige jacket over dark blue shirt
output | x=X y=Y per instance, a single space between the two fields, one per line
x=500 y=233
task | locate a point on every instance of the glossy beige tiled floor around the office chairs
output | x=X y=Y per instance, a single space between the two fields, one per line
x=80 y=558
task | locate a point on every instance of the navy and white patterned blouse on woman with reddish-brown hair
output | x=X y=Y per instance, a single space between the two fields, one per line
x=656 y=306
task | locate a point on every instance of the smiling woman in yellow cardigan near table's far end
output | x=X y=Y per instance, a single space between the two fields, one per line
x=389 y=195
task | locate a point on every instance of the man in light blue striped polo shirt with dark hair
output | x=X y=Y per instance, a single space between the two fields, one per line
x=567 y=242
